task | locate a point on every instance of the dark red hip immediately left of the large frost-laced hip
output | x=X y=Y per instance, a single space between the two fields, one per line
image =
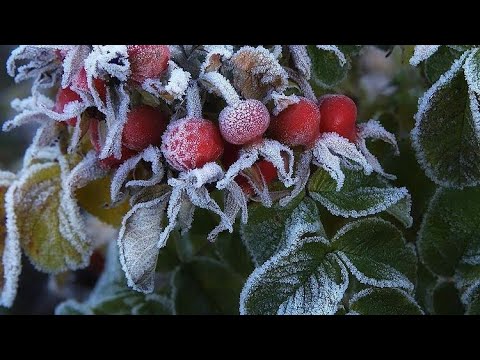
x=145 y=126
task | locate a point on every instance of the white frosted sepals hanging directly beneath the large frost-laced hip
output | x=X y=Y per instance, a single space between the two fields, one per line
x=190 y=186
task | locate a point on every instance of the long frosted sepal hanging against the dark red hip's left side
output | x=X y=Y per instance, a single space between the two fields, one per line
x=118 y=102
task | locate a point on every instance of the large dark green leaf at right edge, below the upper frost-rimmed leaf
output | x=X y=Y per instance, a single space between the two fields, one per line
x=448 y=235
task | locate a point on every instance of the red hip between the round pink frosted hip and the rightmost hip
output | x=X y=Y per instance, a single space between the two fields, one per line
x=298 y=124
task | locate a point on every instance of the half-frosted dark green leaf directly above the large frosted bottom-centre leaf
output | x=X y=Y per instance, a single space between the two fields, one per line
x=270 y=230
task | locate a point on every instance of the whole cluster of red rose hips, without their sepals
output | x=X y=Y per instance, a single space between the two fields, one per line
x=192 y=142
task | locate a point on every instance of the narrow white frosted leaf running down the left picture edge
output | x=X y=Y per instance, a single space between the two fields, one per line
x=10 y=254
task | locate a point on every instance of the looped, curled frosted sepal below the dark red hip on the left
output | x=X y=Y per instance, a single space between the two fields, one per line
x=153 y=155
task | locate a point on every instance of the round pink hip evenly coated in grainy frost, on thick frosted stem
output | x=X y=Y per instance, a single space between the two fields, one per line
x=244 y=122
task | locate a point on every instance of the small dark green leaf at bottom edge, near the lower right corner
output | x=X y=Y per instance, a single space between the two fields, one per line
x=446 y=299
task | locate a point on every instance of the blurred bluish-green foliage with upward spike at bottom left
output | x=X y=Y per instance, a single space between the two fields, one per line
x=112 y=296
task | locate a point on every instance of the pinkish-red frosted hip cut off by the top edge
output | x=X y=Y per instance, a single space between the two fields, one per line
x=147 y=61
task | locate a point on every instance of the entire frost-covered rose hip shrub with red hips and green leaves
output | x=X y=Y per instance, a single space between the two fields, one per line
x=242 y=179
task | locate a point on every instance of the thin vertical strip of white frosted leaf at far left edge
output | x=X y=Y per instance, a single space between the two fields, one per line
x=11 y=257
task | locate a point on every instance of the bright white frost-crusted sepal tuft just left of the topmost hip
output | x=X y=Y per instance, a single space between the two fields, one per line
x=108 y=59
